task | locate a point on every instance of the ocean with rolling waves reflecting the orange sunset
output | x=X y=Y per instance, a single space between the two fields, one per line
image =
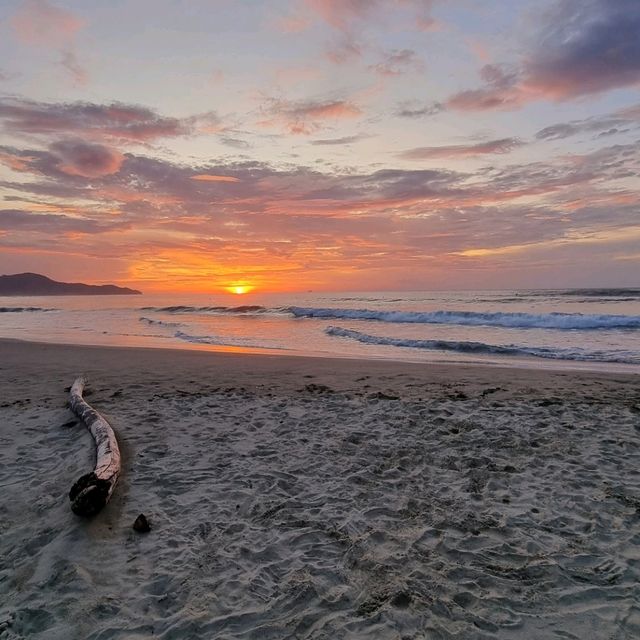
x=595 y=329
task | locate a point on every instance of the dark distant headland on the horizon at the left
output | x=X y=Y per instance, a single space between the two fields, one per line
x=33 y=284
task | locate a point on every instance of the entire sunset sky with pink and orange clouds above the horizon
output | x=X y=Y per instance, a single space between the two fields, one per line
x=295 y=145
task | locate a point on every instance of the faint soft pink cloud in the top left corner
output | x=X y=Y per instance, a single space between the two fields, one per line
x=40 y=23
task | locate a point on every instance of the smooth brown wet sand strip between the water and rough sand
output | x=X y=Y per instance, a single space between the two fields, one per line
x=249 y=365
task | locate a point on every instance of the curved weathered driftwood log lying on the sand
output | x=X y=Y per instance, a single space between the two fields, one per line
x=92 y=491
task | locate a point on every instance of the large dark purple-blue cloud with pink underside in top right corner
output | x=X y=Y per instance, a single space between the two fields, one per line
x=581 y=47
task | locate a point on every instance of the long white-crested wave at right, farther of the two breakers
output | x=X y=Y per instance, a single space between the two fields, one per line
x=474 y=318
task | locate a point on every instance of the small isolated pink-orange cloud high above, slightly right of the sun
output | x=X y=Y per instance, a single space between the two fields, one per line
x=306 y=117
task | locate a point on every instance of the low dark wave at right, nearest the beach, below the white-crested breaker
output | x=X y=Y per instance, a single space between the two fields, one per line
x=486 y=349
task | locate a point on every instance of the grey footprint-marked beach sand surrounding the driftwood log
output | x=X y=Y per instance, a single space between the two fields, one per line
x=310 y=498
